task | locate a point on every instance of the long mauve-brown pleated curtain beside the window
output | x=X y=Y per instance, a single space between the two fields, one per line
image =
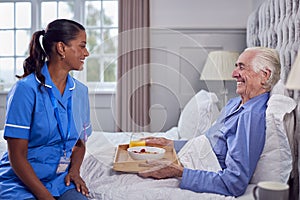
x=132 y=98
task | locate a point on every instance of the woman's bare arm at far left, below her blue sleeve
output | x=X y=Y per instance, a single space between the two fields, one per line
x=17 y=150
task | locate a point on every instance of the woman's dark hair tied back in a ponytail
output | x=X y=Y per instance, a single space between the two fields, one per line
x=60 y=30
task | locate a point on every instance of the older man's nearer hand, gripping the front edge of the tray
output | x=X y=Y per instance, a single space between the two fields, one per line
x=161 y=169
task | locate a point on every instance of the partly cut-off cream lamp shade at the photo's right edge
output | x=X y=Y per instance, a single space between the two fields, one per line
x=293 y=81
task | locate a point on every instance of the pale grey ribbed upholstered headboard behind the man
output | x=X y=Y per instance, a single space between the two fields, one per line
x=276 y=24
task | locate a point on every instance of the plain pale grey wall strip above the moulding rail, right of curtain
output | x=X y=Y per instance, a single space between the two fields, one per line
x=200 y=13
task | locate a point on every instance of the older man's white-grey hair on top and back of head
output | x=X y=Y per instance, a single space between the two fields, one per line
x=266 y=59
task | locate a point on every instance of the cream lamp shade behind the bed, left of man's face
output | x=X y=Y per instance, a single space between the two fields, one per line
x=219 y=65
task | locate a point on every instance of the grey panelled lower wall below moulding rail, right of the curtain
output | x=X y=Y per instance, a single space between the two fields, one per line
x=178 y=57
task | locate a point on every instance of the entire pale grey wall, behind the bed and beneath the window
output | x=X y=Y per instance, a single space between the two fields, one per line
x=182 y=35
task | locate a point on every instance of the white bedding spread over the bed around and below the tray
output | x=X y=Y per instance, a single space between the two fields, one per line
x=105 y=183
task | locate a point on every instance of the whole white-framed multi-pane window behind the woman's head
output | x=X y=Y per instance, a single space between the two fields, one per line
x=24 y=17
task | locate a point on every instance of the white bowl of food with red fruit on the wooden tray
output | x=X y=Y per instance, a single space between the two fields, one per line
x=146 y=153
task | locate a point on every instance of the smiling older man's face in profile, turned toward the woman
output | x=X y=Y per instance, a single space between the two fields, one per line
x=248 y=81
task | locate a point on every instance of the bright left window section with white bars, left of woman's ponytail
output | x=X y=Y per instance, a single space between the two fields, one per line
x=15 y=33
